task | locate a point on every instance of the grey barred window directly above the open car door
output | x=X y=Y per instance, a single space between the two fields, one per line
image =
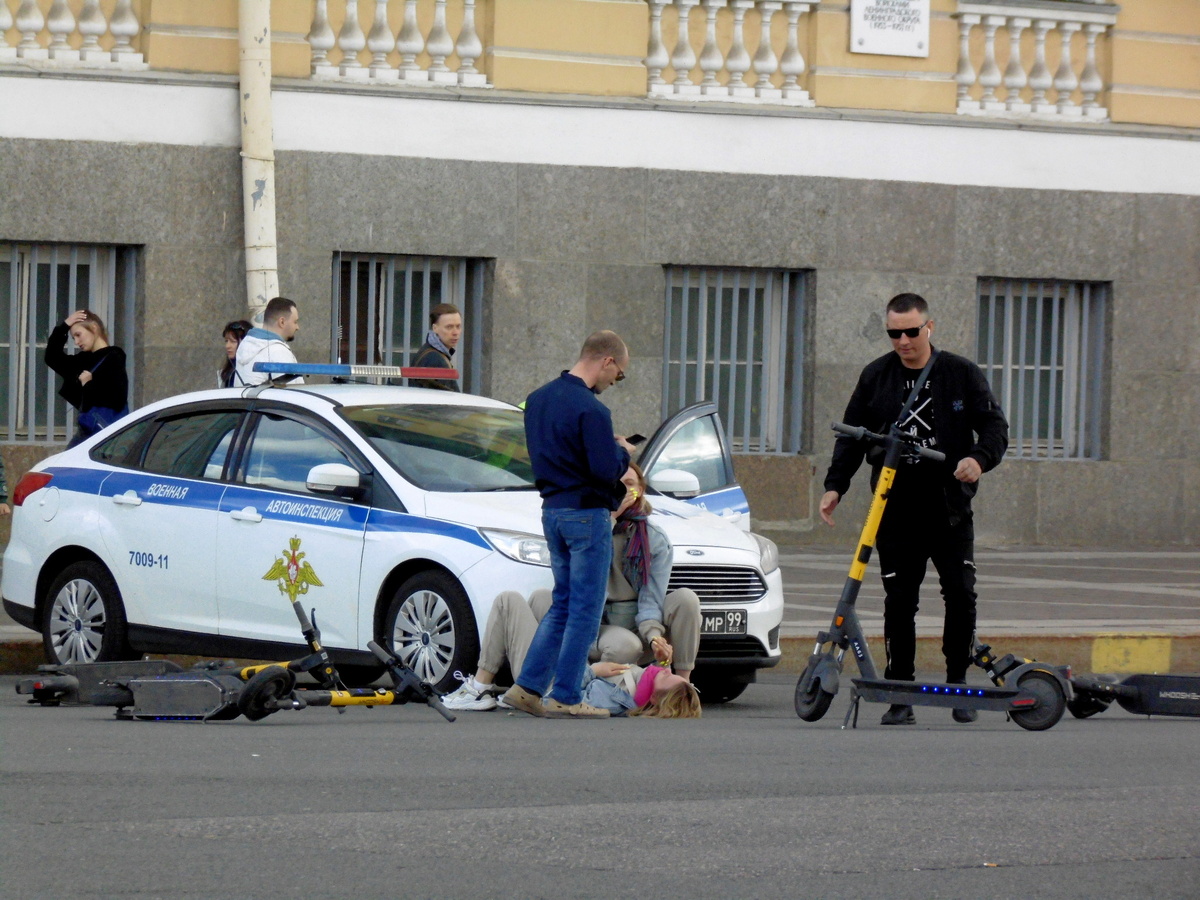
x=737 y=338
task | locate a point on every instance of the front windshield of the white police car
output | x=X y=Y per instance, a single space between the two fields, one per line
x=449 y=448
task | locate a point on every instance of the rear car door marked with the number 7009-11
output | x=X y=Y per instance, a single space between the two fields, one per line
x=160 y=520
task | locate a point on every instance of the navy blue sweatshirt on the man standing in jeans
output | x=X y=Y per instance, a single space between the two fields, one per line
x=577 y=461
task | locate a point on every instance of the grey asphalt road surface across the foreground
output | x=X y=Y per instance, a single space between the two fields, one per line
x=748 y=802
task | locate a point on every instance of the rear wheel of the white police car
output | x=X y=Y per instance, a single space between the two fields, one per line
x=85 y=617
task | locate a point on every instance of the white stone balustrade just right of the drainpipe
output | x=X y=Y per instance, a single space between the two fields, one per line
x=411 y=56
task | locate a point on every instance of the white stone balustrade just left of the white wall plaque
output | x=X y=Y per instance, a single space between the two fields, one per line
x=716 y=68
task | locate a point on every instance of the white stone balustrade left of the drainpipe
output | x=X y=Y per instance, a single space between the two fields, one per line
x=71 y=33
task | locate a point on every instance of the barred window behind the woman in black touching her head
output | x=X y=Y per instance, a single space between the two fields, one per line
x=41 y=285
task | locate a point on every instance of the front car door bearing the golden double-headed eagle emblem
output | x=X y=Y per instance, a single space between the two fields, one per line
x=278 y=541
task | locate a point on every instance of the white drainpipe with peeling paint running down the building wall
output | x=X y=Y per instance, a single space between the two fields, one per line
x=257 y=154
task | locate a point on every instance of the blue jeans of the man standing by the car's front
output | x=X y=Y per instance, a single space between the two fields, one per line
x=580 y=555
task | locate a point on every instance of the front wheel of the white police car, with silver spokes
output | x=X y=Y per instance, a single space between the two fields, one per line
x=431 y=628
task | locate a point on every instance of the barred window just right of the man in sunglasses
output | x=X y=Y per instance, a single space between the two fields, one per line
x=1042 y=346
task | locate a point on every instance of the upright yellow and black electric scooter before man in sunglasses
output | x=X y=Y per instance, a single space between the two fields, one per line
x=1034 y=694
